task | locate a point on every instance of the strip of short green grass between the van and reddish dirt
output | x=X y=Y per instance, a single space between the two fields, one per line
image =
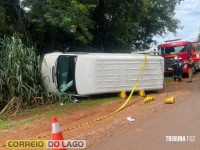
x=8 y=120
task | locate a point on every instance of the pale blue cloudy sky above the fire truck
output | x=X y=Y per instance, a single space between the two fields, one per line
x=188 y=12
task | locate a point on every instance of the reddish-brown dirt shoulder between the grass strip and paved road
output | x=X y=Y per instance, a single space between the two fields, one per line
x=104 y=129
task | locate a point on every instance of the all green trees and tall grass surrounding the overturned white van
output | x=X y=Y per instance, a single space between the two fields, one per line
x=69 y=25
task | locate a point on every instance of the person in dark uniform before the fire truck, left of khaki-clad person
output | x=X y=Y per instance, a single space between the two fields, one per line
x=177 y=66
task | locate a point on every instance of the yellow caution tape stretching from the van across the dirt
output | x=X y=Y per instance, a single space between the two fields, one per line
x=111 y=114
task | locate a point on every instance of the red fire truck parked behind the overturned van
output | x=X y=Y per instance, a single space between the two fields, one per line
x=180 y=48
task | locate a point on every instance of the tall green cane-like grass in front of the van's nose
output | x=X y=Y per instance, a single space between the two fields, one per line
x=20 y=77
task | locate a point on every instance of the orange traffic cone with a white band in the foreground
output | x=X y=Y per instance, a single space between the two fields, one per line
x=56 y=133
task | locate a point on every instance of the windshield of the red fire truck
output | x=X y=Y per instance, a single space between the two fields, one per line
x=173 y=50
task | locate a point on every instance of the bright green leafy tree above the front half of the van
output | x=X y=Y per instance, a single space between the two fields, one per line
x=59 y=22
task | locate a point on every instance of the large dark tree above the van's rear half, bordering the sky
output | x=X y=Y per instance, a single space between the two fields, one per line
x=122 y=24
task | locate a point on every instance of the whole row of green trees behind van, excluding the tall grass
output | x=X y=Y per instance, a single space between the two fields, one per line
x=98 y=25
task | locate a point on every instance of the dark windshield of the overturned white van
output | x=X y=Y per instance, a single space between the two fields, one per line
x=66 y=73
